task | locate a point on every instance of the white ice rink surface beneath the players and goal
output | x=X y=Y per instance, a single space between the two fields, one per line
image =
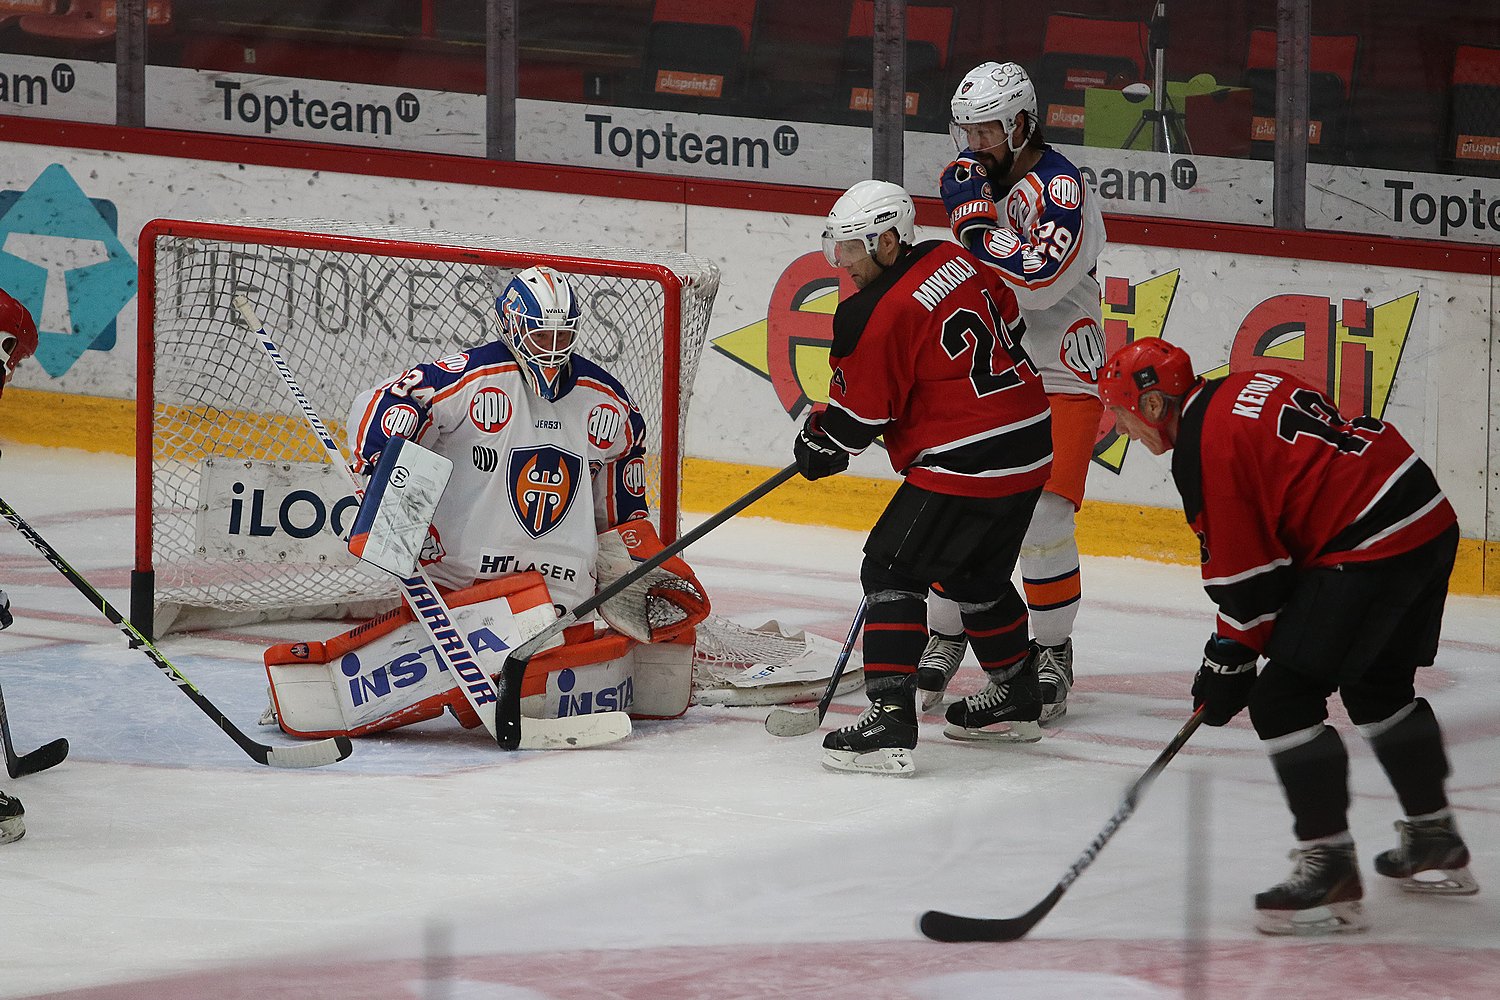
x=701 y=858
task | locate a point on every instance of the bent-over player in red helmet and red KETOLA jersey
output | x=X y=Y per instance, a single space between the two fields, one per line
x=1327 y=545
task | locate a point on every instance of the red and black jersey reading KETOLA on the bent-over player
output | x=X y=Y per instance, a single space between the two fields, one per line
x=1276 y=481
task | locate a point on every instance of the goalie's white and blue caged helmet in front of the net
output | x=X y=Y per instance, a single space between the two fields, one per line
x=539 y=314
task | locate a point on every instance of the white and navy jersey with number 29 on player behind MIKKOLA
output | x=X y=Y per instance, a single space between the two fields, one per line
x=1046 y=250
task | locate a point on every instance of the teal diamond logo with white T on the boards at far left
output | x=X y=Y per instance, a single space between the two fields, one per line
x=62 y=257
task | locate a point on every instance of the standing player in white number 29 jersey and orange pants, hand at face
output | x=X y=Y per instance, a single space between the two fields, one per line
x=1024 y=209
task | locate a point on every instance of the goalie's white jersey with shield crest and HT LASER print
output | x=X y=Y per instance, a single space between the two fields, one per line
x=533 y=484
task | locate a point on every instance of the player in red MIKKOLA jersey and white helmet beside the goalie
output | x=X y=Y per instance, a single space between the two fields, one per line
x=928 y=355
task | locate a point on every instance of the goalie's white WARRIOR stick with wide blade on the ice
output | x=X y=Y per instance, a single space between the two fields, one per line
x=499 y=710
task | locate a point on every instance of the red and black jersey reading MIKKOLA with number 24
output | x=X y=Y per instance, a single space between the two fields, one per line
x=929 y=356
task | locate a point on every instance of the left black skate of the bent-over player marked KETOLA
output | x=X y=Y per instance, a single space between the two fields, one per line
x=1322 y=896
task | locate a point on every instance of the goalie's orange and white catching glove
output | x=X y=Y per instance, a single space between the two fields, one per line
x=662 y=605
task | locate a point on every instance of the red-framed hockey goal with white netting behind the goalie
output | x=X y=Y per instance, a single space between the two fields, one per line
x=238 y=513
